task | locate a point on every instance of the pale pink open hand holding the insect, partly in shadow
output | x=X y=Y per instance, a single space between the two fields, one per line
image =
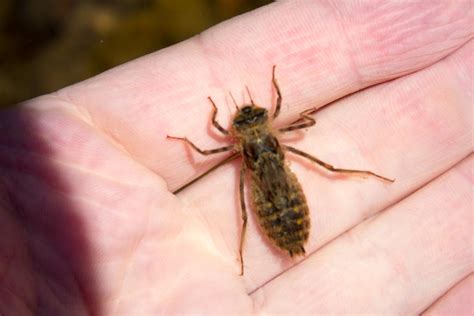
x=89 y=224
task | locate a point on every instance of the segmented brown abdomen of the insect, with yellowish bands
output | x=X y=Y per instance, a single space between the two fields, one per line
x=280 y=204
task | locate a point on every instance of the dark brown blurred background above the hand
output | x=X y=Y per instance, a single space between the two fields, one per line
x=48 y=44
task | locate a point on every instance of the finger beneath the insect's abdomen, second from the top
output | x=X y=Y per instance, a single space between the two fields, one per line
x=412 y=129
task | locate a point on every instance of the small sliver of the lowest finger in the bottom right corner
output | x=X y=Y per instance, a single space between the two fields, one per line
x=457 y=301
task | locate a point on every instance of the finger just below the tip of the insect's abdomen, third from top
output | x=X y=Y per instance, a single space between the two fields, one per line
x=397 y=263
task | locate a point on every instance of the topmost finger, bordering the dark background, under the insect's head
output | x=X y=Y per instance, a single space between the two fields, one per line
x=322 y=52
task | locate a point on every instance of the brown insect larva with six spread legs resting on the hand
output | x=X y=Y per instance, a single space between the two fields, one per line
x=277 y=196
